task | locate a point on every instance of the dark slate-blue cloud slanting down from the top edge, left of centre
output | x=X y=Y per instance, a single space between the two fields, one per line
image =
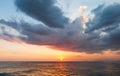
x=43 y=10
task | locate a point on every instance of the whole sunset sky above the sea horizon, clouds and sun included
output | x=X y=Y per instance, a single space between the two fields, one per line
x=54 y=30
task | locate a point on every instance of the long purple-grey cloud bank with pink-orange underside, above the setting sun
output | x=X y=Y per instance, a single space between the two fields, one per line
x=71 y=38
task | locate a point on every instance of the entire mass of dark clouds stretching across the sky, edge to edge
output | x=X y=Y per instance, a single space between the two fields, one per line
x=101 y=33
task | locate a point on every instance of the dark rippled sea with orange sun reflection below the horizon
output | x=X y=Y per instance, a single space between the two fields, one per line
x=59 y=68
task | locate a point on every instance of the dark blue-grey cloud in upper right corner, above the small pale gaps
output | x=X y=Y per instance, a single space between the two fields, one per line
x=105 y=16
